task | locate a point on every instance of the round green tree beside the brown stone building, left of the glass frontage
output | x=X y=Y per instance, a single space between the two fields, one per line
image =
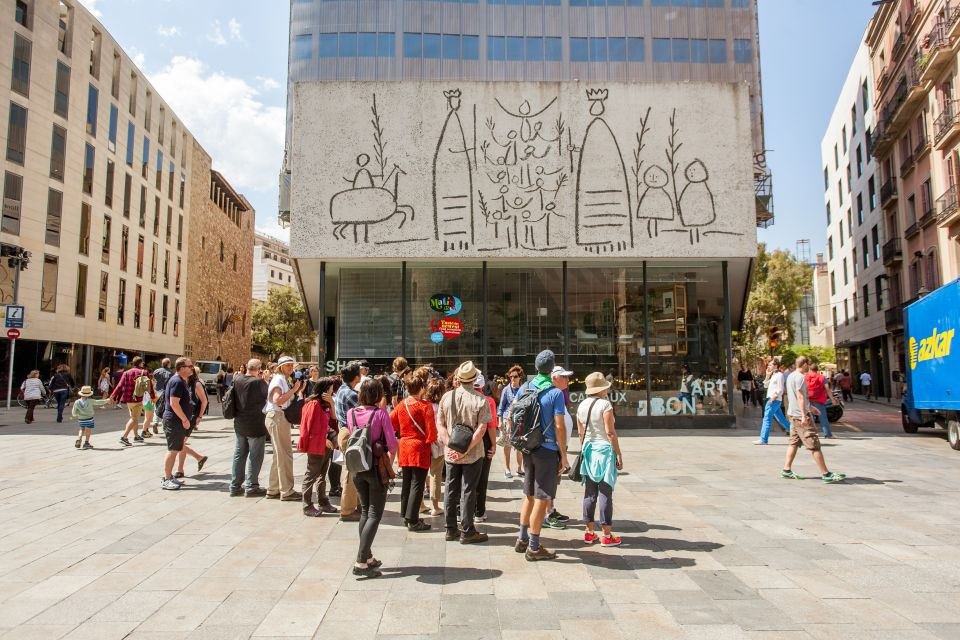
x=280 y=326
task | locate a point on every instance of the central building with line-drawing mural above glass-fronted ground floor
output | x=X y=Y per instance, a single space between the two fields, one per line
x=524 y=111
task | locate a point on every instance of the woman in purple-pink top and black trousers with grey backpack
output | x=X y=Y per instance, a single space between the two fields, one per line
x=370 y=486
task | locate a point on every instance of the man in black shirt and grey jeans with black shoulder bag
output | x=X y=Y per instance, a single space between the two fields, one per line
x=249 y=426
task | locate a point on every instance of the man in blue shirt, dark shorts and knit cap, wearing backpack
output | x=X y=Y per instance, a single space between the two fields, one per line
x=546 y=463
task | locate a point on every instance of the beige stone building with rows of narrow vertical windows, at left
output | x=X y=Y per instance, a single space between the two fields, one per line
x=100 y=185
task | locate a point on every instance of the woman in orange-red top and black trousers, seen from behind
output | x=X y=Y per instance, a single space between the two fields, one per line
x=413 y=419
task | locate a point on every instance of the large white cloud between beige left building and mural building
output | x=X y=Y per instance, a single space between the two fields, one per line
x=243 y=135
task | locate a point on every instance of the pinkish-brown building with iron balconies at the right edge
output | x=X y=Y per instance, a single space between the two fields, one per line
x=913 y=52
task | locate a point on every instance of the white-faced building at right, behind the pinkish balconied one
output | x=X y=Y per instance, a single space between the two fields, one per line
x=853 y=195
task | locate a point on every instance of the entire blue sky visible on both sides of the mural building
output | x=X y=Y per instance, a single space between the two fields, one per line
x=222 y=66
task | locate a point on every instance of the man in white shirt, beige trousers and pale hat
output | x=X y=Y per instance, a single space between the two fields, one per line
x=279 y=395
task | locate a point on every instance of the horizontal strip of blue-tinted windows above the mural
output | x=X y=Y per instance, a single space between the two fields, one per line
x=520 y=48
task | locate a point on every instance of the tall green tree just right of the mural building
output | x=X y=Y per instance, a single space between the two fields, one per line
x=779 y=282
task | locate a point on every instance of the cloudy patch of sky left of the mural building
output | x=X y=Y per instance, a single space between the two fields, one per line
x=222 y=67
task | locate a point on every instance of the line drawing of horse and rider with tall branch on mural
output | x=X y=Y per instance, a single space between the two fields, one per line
x=367 y=203
